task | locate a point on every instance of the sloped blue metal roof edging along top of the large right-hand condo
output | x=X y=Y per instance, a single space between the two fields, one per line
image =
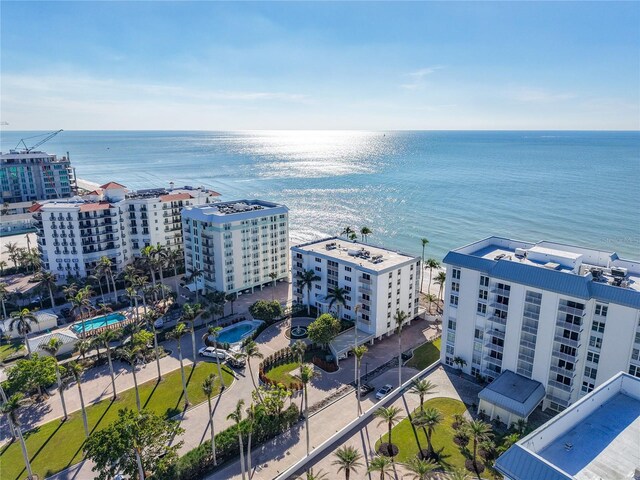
x=564 y=283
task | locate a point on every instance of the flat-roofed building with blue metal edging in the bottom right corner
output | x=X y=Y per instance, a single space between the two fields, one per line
x=598 y=437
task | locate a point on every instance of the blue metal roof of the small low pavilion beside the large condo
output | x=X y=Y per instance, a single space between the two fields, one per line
x=513 y=393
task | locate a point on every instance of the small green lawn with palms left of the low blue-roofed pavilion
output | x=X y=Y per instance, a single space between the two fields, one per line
x=407 y=439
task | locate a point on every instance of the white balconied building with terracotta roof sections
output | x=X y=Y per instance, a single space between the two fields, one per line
x=73 y=234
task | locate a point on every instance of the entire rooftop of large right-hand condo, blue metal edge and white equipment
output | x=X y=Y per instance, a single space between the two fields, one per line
x=575 y=271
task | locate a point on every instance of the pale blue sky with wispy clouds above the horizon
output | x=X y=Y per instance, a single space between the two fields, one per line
x=223 y=66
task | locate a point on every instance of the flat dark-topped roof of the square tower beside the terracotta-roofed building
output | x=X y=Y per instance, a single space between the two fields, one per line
x=233 y=210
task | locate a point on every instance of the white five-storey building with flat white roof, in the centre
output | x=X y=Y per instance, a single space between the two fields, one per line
x=379 y=281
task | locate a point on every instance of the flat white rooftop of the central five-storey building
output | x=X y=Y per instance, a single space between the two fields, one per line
x=356 y=253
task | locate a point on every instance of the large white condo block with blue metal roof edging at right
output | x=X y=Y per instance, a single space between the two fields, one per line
x=565 y=316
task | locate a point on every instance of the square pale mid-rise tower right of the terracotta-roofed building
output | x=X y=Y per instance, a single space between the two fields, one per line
x=237 y=246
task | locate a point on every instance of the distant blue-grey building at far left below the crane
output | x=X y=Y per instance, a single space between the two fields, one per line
x=29 y=176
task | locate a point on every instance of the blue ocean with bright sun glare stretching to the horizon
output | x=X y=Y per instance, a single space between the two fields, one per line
x=450 y=187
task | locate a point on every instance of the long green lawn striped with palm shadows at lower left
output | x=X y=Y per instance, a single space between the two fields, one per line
x=57 y=445
